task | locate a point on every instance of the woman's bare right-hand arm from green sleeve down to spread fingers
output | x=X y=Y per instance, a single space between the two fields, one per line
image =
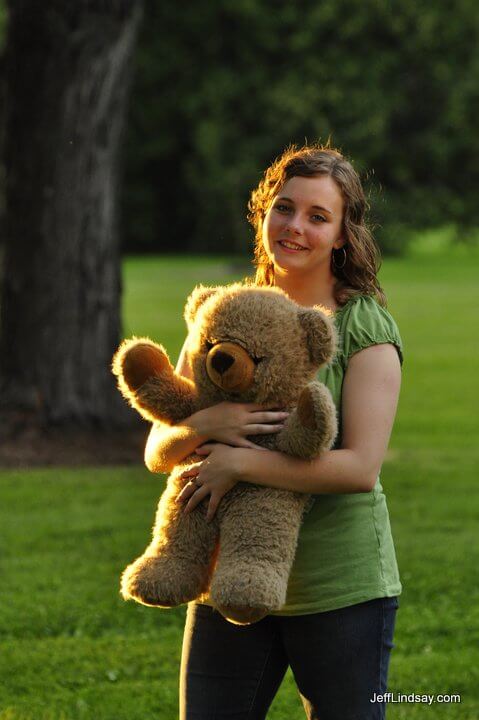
x=369 y=401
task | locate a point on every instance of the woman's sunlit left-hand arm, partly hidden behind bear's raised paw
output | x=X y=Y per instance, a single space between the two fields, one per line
x=228 y=423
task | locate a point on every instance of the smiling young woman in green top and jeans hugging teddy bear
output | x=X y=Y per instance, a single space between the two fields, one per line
x=336 y=628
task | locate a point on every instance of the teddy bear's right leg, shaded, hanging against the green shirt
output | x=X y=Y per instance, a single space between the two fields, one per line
x=258 y=537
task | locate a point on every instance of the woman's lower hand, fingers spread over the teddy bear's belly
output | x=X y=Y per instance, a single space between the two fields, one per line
x=215 y=475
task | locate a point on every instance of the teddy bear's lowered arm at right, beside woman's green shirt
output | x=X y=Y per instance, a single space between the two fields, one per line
x=312 y=426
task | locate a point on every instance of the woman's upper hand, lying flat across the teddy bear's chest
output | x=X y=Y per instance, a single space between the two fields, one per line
x=230 y=423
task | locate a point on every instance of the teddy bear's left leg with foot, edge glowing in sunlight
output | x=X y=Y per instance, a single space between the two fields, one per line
x=176 y=567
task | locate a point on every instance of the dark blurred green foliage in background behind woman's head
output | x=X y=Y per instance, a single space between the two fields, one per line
x=223 y=88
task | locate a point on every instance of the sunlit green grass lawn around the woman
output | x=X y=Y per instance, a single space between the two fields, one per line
x=70 y=648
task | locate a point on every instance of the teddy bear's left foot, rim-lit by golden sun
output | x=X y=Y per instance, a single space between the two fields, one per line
x=148 y=581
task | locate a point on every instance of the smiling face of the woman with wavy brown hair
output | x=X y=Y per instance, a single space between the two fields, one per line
x=304 y=224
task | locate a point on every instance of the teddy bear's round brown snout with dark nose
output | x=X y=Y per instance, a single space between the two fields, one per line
x=230 y=367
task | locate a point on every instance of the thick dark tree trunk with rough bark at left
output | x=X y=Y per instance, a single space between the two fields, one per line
x=68 y=66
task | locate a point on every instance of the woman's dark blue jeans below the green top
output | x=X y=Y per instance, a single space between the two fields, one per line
x=339 y=660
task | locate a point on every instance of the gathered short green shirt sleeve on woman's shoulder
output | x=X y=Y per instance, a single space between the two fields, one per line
x=366 y=323
